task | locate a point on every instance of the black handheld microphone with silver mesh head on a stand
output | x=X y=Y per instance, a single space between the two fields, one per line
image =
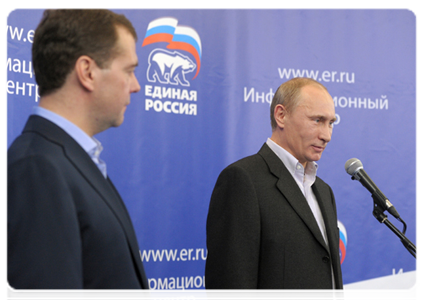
x=354 y=167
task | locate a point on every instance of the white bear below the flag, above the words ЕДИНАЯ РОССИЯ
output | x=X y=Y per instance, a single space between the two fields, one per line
x=169 y=67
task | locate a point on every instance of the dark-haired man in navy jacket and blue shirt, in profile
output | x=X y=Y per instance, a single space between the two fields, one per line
x=68 y=233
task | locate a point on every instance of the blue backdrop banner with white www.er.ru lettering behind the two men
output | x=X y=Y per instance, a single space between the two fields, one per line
x=207 y=78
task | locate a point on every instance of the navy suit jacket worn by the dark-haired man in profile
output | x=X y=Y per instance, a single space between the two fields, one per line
x=68 y=233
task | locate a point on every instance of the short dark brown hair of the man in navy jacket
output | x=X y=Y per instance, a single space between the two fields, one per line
x=66 y=34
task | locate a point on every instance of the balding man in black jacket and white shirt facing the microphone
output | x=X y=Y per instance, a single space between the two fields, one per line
x=272 y=224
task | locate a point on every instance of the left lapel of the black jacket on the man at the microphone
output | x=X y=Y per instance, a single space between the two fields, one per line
x=289 y=188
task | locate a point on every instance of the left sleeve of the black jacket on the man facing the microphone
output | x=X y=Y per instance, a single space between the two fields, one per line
x=233 y=238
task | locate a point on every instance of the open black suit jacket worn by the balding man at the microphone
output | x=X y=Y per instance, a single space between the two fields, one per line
x=262 y=238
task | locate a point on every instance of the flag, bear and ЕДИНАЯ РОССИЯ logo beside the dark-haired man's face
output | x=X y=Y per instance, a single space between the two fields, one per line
x=174 y=62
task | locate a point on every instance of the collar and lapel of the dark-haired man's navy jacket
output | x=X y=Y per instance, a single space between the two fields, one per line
x=87 y=168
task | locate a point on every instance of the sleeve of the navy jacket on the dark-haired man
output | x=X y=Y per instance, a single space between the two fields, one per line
x=43 y=250
